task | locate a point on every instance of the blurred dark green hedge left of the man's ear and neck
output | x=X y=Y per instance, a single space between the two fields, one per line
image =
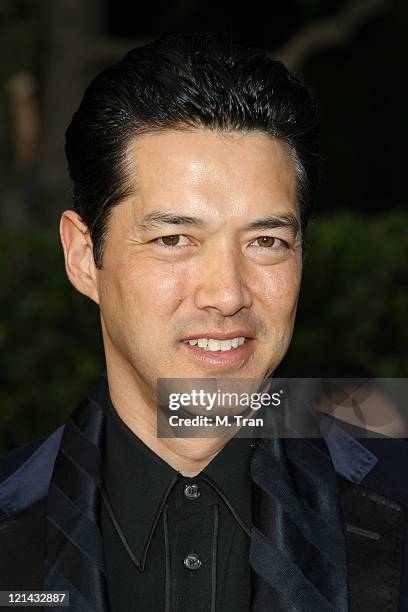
x=50 y=343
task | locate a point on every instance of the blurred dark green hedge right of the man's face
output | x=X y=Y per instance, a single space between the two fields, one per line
x=354 y=299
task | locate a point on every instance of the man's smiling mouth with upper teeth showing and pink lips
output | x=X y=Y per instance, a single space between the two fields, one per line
x=220 y=350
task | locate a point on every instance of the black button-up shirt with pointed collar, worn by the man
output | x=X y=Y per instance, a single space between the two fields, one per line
x=174 y=543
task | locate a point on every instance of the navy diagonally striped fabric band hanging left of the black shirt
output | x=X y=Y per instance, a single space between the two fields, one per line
x=74 y=557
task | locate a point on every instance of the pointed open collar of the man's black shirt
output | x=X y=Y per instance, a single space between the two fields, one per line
x=138 y=481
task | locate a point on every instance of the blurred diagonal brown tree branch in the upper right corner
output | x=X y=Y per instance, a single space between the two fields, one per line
x=331 y=32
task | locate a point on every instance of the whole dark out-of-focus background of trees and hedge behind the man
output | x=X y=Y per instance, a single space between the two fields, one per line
x=354 y=303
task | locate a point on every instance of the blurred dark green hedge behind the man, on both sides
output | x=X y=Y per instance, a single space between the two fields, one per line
x=353 y=307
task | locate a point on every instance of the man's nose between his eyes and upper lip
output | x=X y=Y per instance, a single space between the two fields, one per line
x=221 y=284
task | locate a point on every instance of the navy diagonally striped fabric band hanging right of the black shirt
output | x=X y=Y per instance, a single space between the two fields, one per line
x=298 y=542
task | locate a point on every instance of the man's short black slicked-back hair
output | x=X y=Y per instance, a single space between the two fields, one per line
x=184 y=81
